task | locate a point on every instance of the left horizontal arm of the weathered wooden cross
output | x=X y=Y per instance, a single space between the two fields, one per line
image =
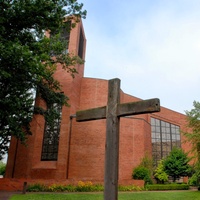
x=91 y=114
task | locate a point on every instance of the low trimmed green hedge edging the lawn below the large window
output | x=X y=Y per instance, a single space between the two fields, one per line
x=167 y=187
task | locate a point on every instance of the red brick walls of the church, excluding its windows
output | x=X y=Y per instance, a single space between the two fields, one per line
x=83 y=159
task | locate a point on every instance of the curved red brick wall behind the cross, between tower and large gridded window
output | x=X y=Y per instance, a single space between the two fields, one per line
x=87 y=149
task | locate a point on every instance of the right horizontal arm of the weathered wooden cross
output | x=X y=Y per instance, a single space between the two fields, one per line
x=139 y=107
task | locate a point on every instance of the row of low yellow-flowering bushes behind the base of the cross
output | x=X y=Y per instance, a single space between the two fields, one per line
x=80 y=187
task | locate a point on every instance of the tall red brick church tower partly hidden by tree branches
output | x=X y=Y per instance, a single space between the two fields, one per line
x=32 y=161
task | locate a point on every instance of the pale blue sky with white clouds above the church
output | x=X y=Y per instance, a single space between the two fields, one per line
x=152 y=46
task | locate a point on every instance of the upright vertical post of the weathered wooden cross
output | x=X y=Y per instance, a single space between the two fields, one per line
x=112 y=142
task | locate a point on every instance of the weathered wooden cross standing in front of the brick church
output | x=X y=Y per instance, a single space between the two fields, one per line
x=112 y=113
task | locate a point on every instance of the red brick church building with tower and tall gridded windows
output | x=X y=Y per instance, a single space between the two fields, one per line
x=76 y=150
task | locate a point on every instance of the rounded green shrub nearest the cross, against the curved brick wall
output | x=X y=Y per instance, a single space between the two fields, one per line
x=142 y=173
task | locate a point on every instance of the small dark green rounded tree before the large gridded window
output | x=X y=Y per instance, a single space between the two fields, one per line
x=176 y=164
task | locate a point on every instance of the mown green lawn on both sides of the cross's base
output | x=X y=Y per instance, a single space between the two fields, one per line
x=168 y=195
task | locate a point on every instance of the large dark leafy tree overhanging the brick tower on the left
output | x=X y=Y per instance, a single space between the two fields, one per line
x=26 y=62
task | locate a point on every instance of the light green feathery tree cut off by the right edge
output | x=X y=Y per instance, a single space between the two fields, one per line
x=193 y=135
